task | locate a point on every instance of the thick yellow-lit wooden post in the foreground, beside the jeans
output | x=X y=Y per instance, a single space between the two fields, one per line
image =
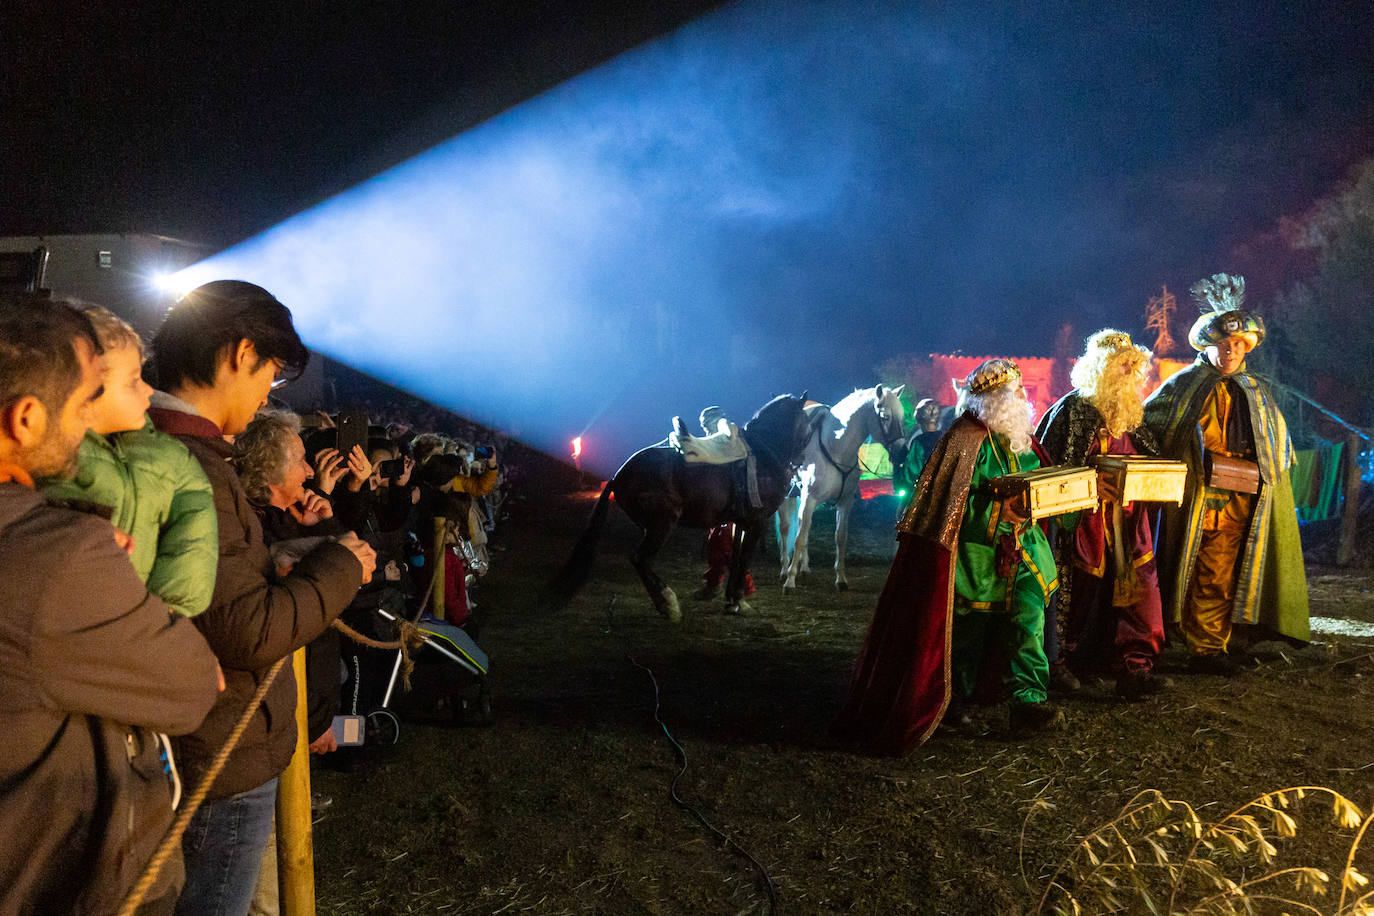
x=295 y=851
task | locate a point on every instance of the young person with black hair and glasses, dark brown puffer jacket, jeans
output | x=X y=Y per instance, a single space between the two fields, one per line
x=216 y=356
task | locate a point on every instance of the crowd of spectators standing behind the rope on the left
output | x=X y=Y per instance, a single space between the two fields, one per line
x=166 y=549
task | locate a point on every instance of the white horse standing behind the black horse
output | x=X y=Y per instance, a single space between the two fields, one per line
x=829 y=472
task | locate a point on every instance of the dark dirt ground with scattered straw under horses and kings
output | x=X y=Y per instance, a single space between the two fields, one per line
x=564 y=804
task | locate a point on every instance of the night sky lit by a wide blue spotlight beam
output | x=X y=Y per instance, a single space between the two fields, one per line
x=792 y=192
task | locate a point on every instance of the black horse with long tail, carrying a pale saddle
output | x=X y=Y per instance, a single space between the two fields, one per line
x=660 y=491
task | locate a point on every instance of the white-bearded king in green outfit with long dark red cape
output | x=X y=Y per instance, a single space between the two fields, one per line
x=969 y=586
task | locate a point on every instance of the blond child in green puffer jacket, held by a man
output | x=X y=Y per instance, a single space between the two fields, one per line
x=157 y=494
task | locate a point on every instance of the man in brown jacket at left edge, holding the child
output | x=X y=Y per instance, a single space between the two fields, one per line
x=91 y=664
